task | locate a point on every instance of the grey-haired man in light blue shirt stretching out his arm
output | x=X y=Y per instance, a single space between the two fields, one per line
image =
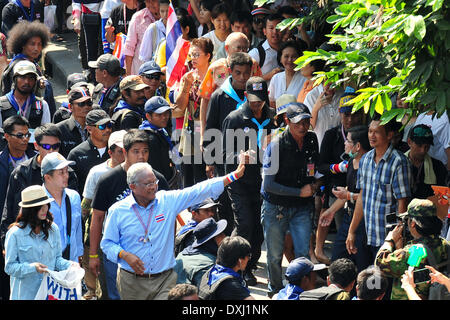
x=139 y=230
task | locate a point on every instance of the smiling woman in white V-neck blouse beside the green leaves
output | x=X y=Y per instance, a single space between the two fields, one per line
x=289 y=81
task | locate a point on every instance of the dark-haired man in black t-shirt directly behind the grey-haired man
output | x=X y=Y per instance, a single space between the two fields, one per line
x=112 y=187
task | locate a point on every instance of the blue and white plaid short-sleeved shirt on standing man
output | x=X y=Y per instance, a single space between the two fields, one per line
x=381 y=184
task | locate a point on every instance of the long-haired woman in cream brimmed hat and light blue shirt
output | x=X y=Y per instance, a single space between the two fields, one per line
x=32 y=245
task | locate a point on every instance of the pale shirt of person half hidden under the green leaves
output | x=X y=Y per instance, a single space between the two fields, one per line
x=328 y=117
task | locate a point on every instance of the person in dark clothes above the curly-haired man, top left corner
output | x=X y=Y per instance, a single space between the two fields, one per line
x=18 y=10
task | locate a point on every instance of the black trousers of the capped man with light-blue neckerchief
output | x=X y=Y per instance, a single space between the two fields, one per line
x=246 y=206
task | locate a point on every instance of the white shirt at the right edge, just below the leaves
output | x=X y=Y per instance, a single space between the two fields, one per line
x=441 y=135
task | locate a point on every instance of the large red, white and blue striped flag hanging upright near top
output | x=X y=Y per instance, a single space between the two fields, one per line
x=177 y=48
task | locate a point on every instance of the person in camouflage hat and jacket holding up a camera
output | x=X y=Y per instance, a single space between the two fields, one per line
x=424 y=227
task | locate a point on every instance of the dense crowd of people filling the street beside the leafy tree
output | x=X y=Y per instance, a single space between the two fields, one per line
x=256 y=150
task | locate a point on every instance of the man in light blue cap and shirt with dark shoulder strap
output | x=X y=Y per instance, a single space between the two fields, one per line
x=55 y=173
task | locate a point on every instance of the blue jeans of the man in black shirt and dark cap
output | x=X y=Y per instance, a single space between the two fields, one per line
x=276 y=221
